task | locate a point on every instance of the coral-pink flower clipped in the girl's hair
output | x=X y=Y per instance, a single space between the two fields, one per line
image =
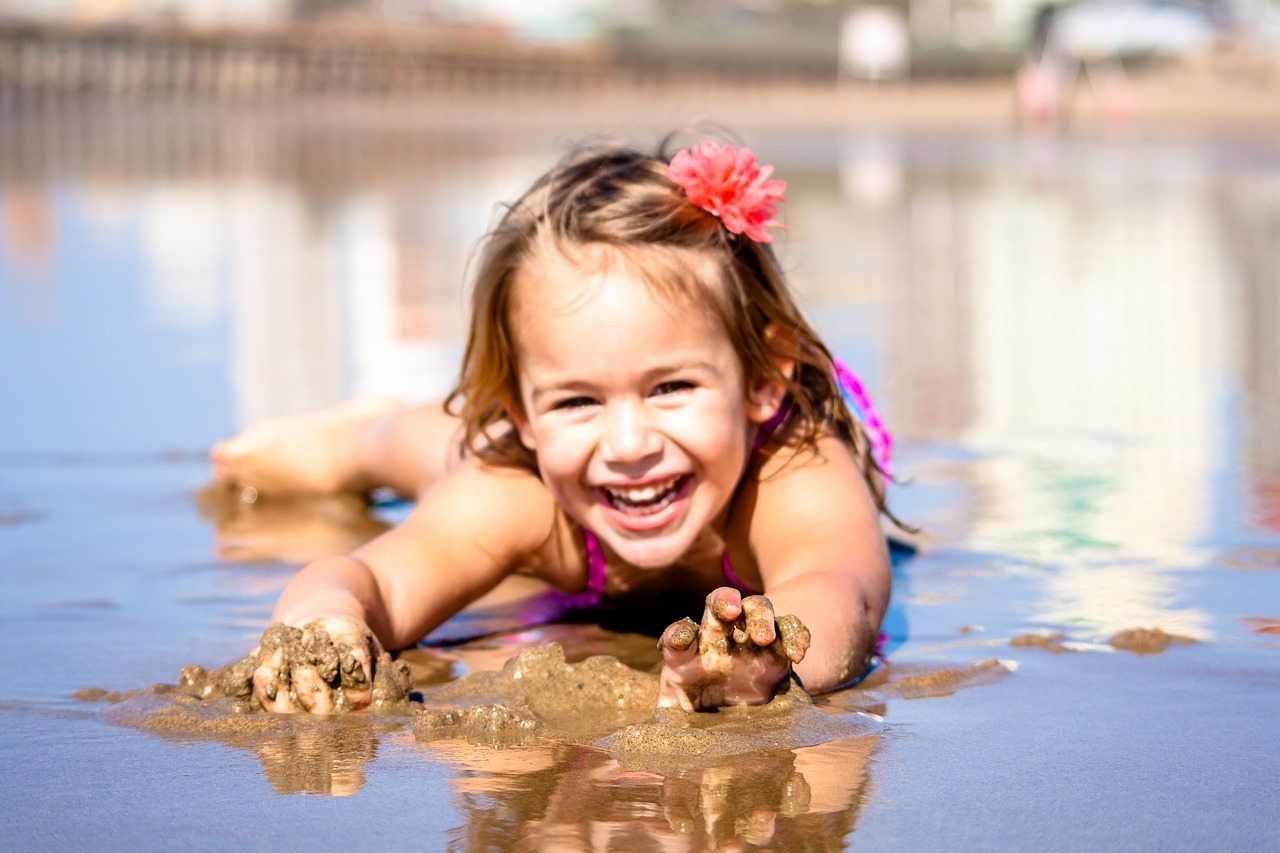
x=732 y=185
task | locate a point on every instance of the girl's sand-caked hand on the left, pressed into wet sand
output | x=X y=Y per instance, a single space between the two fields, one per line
x=327 y=667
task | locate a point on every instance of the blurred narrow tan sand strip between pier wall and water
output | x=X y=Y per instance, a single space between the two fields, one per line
x=1164 y=103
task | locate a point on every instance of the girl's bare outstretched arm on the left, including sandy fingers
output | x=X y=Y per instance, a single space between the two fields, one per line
x=463 y=539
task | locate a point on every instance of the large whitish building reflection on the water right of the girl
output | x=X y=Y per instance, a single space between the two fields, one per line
x=1085 y=318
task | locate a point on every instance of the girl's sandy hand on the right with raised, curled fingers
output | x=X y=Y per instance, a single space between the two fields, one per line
x=739 y=656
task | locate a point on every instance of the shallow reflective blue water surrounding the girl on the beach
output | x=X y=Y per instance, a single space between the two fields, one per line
x=1076 y=343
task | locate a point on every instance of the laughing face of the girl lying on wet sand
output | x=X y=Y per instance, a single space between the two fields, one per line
x=636 y=407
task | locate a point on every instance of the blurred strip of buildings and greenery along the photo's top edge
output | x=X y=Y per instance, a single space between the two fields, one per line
x=301 y=45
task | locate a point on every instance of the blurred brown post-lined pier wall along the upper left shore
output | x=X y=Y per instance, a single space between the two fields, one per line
x=129 y=61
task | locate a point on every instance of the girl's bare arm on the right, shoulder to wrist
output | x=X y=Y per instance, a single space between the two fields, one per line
x=822 y=555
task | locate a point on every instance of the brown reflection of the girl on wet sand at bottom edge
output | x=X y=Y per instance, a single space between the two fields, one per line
x=579 y=799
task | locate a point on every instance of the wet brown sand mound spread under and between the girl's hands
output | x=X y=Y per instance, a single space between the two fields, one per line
x=537 y=697
